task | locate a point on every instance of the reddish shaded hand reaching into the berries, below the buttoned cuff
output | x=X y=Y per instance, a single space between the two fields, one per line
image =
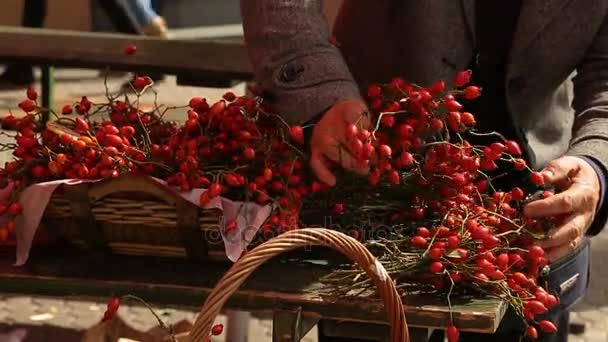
x=329 y=143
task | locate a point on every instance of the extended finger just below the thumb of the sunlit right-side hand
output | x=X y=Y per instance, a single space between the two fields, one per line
x=579 y=197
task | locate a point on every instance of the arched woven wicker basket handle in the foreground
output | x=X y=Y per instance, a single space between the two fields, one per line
x=291 y=240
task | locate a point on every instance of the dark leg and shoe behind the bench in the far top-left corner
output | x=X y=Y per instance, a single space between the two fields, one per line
x=21 y=74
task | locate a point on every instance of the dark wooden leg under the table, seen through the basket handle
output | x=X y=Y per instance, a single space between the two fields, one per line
x=291 y=325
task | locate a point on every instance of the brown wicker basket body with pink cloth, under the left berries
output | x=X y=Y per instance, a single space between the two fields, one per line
x=134 y=215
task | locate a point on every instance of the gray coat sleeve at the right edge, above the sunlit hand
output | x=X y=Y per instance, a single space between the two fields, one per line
x=590 y=130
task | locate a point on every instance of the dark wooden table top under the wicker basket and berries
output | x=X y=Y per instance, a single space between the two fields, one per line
x=175 y=282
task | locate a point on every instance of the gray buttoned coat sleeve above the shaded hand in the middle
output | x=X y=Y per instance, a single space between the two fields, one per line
x=299 y=70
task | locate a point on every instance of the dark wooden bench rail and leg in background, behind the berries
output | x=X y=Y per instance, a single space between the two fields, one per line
x=194 y=58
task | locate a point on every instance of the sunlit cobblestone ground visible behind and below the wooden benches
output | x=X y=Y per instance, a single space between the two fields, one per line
x=60 y=318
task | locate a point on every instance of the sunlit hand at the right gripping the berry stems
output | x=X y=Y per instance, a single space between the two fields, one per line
x=577 y=202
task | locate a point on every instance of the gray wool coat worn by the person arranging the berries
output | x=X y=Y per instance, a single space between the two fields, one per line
x=556 y=80
